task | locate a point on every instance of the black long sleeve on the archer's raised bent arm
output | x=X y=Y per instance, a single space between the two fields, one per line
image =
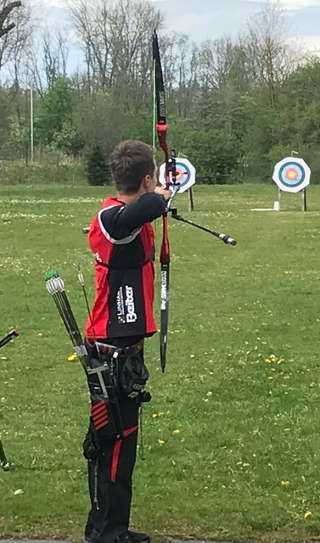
x=120 y=221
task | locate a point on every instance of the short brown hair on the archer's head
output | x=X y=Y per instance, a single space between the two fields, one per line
x=131 y=161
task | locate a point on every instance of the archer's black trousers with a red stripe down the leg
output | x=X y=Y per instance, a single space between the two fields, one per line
x=110 y=467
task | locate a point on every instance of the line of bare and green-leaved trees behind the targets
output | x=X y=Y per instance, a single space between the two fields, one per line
x=235 y=106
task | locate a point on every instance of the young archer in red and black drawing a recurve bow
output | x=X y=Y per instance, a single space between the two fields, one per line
x=121 y=239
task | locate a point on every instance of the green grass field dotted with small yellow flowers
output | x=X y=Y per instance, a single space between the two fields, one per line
x=231 y=437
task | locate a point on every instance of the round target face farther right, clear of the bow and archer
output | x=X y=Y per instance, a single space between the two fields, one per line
x=291 y=174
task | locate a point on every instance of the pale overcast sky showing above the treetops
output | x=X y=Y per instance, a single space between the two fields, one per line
x=202 y=19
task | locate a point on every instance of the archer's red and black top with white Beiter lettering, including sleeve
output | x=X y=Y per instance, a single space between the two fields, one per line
x=124 y=268
